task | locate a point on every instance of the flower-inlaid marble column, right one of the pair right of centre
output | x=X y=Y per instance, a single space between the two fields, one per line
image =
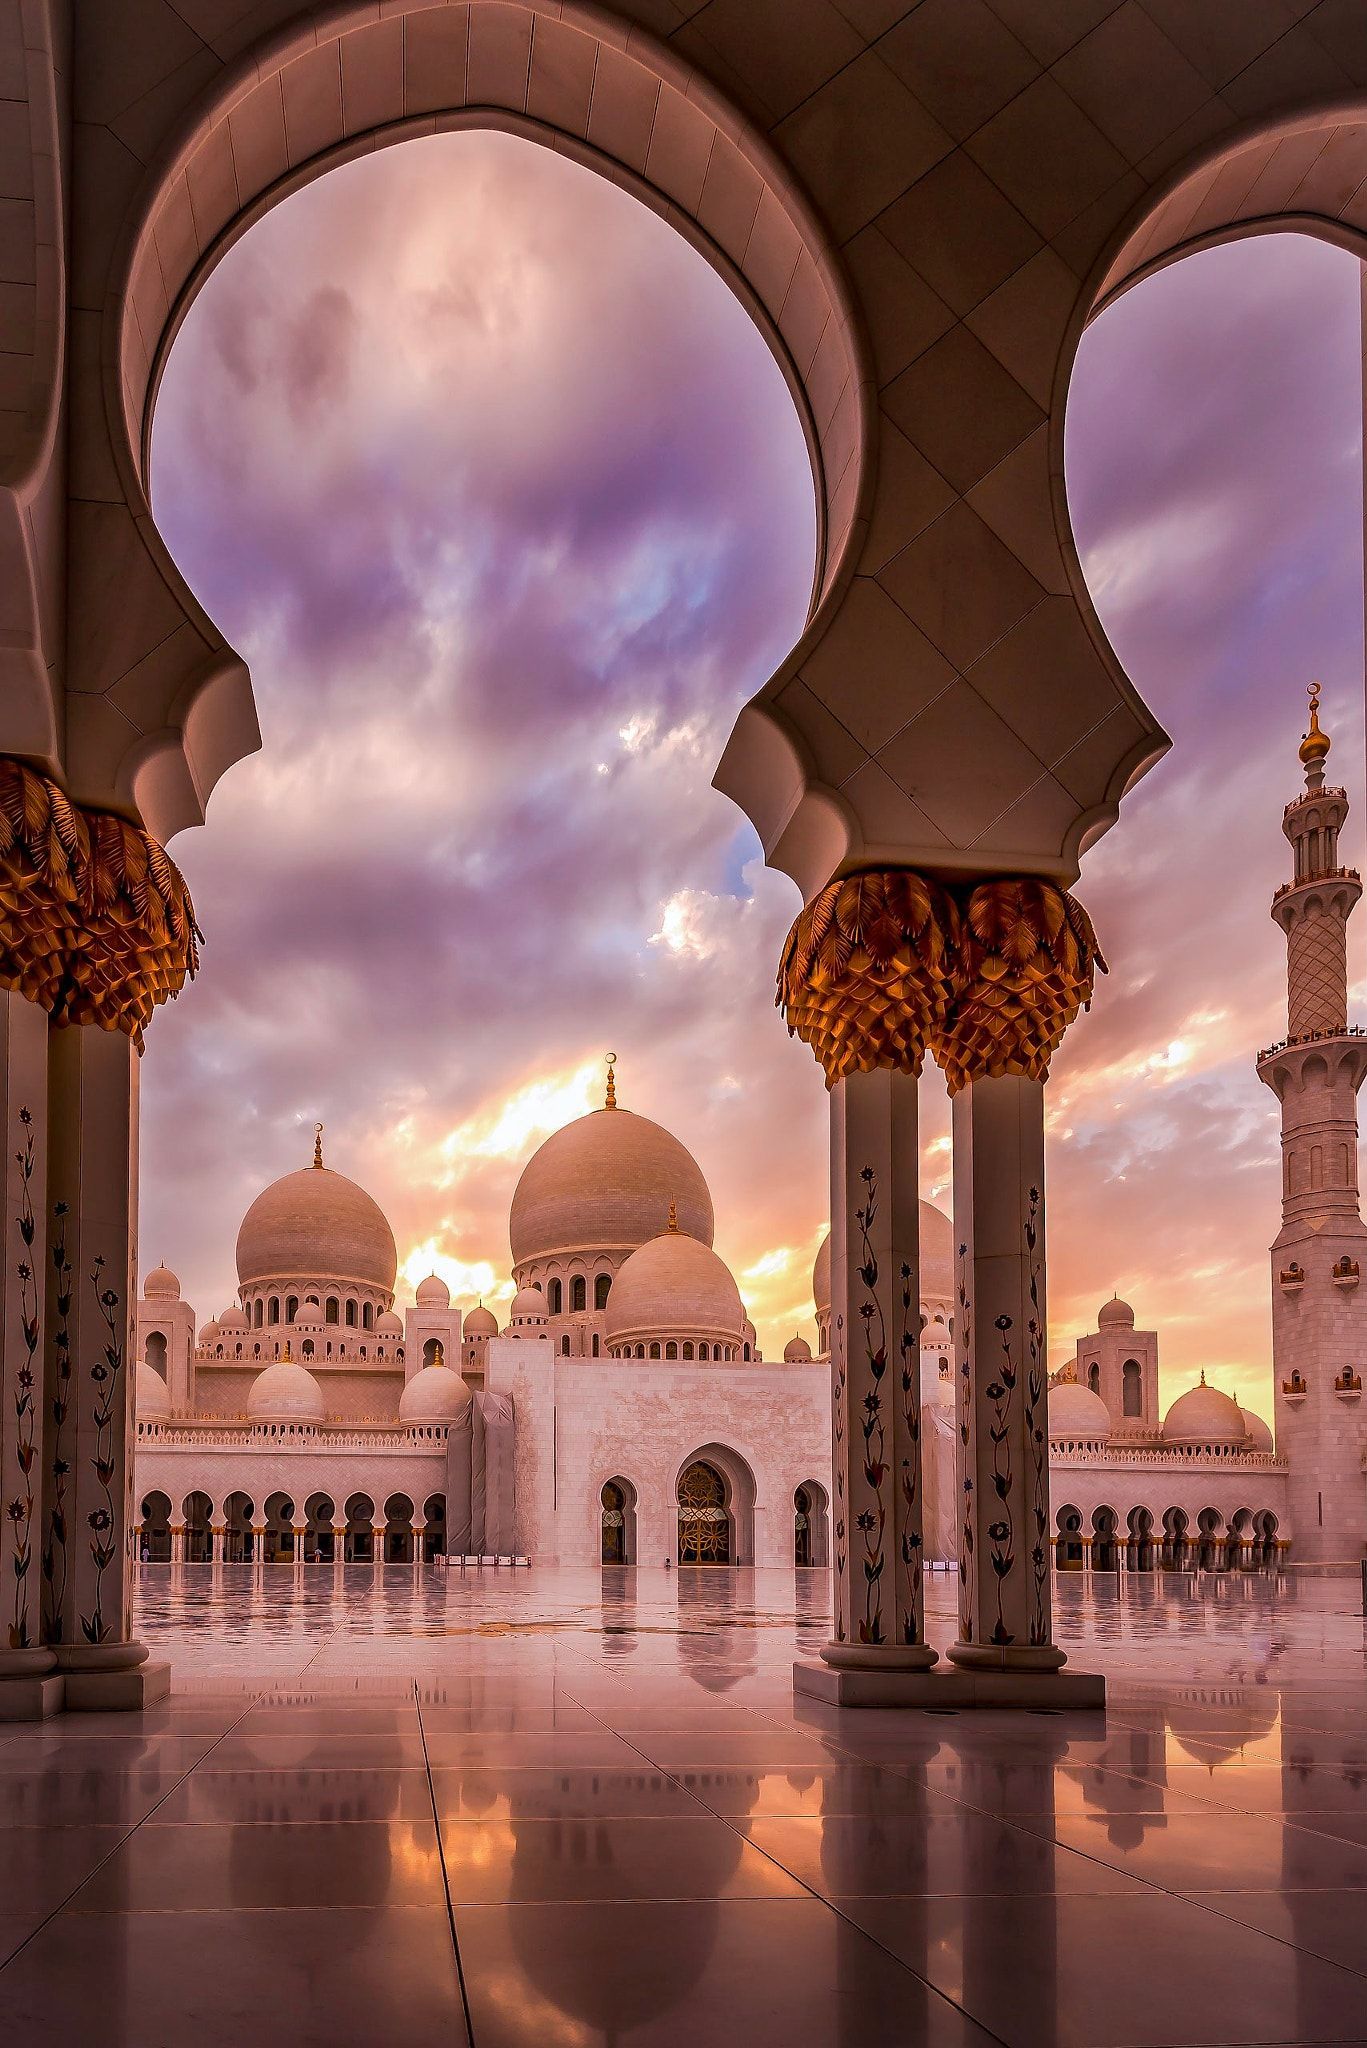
x=1003 y=1377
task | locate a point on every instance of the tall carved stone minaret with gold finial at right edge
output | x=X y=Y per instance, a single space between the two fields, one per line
x=1319 y=1308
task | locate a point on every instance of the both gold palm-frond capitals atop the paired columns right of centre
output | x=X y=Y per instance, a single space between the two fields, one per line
x=886 y=966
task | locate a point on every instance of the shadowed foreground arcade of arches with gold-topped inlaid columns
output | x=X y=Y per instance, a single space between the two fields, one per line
x=921 y=237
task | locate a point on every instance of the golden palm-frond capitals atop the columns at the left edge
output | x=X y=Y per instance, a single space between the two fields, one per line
x=95 y=921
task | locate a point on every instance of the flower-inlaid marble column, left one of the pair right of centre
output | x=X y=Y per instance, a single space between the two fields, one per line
x=876 y=1373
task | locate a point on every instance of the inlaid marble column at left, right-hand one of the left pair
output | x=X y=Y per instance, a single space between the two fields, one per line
x=89 y=1369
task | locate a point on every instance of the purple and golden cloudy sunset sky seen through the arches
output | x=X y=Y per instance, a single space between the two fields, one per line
x=505 y=501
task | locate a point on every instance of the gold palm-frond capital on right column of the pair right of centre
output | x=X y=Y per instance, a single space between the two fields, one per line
x=1028 y=964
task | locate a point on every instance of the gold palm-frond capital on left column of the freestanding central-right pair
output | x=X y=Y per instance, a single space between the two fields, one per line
x=868 y=972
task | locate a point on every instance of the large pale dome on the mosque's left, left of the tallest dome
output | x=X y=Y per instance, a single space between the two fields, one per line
x=317 y=1226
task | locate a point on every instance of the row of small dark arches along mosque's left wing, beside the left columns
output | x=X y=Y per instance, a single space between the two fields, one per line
x=241 y=1535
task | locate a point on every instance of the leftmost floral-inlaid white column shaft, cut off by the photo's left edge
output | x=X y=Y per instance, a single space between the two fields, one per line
x=28 y=1689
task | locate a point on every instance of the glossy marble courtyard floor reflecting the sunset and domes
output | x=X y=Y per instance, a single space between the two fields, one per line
x=575 y=1809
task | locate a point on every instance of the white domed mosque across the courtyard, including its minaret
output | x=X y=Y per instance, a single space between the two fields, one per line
x=624 y=1412
